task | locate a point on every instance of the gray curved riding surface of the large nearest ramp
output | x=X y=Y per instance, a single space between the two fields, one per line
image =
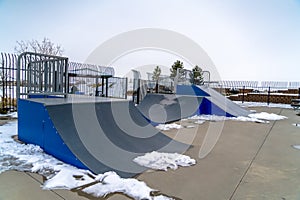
x=108 y=135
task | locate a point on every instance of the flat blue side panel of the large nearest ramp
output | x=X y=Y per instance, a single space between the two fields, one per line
x=36 y=127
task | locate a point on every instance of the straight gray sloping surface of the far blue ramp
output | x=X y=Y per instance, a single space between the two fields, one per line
x=224 y=103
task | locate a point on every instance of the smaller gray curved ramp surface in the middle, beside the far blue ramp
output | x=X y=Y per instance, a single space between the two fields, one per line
x=165 y=108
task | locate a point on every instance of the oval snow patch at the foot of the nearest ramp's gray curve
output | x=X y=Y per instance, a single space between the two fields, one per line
x=163 y=161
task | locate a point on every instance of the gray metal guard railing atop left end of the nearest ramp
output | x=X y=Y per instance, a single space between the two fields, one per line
x=41 y=74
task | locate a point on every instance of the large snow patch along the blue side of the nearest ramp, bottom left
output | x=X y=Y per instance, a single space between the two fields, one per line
x=21 y=157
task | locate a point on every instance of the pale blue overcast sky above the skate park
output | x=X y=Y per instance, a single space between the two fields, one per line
x=245 y=39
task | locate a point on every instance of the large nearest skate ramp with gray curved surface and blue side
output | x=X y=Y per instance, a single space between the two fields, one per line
x=98 y=134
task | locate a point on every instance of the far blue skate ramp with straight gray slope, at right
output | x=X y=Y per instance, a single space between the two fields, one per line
x=214 y=102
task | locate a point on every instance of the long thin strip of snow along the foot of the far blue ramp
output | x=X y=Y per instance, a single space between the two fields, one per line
x=255 y=117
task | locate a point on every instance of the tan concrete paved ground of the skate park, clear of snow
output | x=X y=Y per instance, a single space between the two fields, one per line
x=249 y=161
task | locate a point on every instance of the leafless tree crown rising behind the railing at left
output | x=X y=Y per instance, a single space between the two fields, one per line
x=44 y=47
